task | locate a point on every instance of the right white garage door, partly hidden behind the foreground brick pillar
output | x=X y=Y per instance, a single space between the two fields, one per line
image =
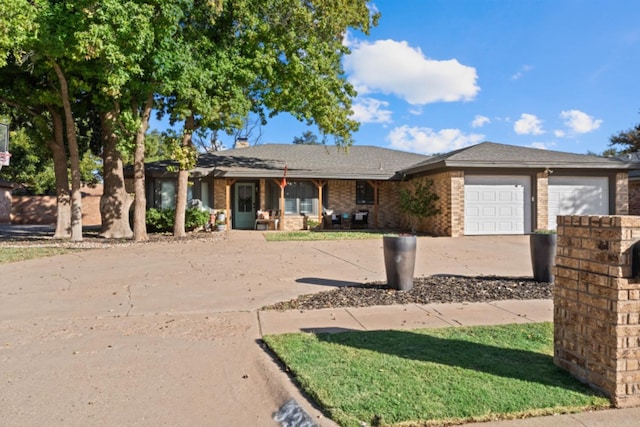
x=577 y=195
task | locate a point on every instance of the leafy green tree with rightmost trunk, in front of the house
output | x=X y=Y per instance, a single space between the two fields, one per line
x=265 y=57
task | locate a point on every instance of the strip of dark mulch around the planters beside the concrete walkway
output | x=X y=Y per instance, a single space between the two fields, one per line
x=426 y=290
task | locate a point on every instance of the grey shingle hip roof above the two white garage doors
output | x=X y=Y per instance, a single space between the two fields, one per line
x=493 y=155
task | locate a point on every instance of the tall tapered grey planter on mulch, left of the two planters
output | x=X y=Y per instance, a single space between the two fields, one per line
x=399 y=261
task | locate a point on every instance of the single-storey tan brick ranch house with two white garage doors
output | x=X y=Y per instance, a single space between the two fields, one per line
x=487 y=188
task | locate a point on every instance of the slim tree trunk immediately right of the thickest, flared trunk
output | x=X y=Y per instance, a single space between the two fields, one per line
x=140 y=202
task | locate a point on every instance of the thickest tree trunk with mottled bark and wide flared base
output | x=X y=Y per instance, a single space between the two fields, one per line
x=115 y=201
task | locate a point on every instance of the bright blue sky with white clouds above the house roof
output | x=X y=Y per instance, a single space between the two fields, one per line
x=435 y=76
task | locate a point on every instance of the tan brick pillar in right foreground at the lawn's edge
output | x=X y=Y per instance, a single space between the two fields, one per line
x=597 y=304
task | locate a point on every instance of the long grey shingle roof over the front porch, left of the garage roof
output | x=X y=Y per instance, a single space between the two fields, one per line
x=307 y=161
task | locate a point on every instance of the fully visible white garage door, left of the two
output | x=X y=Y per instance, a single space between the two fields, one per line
x=497 y=204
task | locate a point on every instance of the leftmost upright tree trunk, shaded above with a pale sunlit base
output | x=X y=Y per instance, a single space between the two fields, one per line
x=63 y=198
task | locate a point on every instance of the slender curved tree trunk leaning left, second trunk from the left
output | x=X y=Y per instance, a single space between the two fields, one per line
x=74 y=156
